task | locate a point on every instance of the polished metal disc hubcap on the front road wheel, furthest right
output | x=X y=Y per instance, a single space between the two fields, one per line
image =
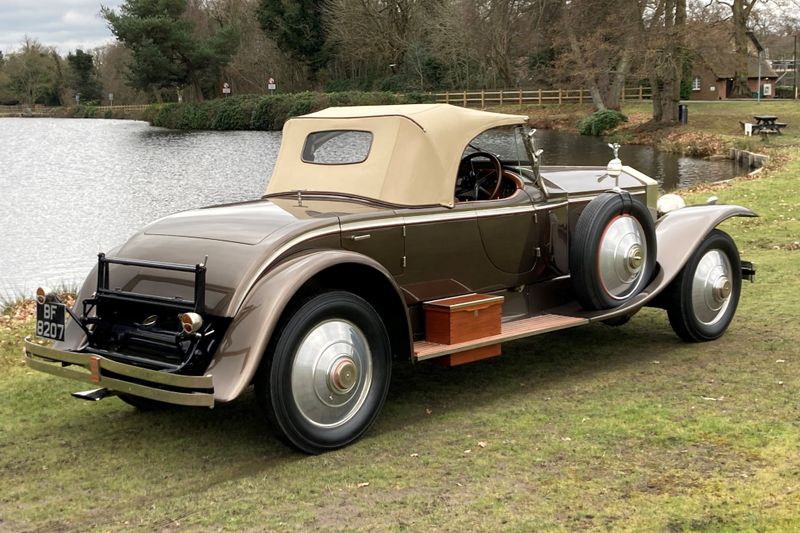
x=712 y=287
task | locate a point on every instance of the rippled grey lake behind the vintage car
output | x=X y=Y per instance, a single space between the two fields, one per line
x=73 y=187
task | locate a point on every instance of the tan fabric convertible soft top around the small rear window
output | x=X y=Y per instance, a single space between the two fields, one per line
x=414 y=158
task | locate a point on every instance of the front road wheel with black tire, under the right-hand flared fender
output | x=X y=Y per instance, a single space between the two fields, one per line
x=689 y=315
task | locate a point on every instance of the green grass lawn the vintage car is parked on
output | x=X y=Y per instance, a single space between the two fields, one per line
x=623 y=429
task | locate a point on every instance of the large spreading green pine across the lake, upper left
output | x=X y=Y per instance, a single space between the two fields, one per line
x=167 y=51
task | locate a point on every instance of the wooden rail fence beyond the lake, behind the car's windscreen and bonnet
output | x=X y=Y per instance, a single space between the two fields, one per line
x=485 y=98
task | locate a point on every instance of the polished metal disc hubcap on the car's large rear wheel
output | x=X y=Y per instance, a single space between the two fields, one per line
x=331 y=373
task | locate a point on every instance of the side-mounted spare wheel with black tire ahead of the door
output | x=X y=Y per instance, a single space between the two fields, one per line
x=612 y=251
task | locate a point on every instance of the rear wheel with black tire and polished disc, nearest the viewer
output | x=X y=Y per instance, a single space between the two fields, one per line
x=295 y=375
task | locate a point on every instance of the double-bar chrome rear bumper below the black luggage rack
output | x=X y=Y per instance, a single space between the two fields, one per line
x=146 y=383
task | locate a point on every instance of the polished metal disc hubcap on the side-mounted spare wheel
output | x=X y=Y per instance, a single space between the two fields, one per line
x=622 y=254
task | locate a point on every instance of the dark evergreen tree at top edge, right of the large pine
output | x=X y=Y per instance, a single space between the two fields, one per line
x=297 y=28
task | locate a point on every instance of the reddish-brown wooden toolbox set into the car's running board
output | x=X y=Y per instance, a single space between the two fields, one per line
x=461 y=319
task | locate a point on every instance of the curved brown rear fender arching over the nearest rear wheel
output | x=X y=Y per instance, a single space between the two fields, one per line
x=239 y=354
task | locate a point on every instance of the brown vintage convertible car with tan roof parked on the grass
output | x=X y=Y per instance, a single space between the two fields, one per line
x=421 y=232
